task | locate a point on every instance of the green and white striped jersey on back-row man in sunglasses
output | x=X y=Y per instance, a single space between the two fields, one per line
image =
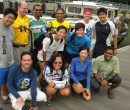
x=35 y=28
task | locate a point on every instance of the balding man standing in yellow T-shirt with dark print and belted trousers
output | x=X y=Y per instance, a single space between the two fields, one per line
x=21 y=33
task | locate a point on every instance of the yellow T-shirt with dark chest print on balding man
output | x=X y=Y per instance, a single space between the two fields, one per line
x=21 y=30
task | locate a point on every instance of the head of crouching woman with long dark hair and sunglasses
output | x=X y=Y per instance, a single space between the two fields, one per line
x=56 y=62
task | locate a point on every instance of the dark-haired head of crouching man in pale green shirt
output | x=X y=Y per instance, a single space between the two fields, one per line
x=108 y=53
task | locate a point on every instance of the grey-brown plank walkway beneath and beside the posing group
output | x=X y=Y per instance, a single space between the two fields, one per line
x=99 y=101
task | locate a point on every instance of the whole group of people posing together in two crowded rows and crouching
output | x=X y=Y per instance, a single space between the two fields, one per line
x=65 y=58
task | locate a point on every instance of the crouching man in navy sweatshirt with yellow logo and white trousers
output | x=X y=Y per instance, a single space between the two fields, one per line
x=21 y=83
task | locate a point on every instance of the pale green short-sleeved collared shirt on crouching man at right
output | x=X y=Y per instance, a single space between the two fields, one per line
x=105 y=68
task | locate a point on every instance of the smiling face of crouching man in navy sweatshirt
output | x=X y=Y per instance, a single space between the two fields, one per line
x=26 y=62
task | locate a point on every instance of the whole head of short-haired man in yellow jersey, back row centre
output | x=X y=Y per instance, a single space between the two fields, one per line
x=60 y=14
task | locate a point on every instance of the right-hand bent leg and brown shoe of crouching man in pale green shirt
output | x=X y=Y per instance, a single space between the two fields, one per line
x=115 y=82
